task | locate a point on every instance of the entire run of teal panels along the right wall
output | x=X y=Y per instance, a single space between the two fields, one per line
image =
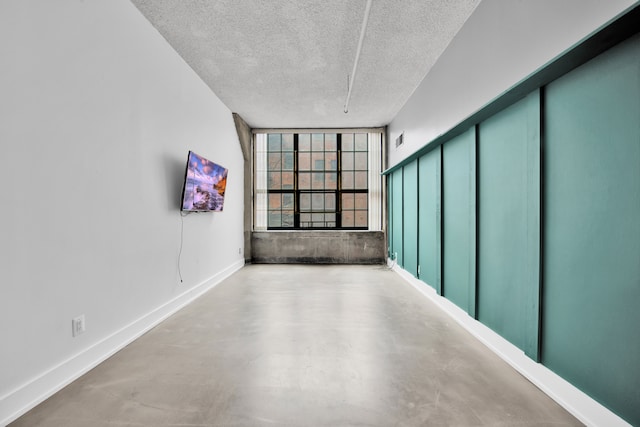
x=549 y=254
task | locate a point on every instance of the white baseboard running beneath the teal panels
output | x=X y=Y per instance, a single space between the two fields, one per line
x=575 y=401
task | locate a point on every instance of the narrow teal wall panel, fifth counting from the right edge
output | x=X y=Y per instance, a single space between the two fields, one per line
x=410 y=220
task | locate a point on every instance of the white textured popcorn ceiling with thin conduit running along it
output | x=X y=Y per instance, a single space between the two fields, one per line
x=285 y=63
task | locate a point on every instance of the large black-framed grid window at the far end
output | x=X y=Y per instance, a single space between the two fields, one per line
x=313 y=181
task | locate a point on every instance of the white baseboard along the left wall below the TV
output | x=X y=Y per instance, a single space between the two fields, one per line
x=19 y=401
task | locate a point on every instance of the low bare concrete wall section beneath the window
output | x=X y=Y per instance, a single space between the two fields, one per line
x=318 y=247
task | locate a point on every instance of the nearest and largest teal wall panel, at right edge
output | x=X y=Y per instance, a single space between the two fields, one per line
x=591 y=253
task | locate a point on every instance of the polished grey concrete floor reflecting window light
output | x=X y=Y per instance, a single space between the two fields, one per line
x=297 y=345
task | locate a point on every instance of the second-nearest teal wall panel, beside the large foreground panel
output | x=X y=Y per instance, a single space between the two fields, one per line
x=508 y=223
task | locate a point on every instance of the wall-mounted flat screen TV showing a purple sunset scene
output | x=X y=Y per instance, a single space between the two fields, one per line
x=204 y=185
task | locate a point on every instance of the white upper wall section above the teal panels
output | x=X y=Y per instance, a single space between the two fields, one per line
x=502 y=42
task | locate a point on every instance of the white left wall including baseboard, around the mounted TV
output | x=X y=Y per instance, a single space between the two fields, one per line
x=97 y=114
